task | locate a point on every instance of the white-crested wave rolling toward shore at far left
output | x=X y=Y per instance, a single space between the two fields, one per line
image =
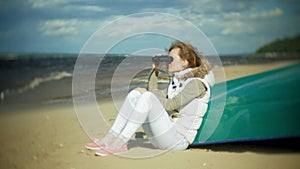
x=54 y=76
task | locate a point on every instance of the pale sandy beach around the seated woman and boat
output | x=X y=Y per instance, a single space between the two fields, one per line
x=50 y=136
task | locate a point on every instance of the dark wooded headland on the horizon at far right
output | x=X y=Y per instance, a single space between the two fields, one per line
x=285 y=45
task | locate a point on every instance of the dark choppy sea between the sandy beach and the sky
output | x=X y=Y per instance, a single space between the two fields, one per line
x=47 y=78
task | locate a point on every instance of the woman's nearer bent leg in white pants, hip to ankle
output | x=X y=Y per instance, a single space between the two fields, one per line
x=159 y=128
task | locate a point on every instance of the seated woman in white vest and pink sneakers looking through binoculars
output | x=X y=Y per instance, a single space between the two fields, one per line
x=170 y=118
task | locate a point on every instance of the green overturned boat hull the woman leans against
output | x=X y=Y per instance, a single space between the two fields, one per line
x=258 y=107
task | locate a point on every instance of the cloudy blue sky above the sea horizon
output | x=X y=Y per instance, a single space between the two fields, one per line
x=64 y=26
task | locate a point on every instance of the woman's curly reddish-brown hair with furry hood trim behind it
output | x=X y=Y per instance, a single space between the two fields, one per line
x=195 y=60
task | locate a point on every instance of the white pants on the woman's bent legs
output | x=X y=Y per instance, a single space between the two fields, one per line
x=144 y=109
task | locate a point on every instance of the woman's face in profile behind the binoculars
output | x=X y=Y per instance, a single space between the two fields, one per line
x=177 y=64
